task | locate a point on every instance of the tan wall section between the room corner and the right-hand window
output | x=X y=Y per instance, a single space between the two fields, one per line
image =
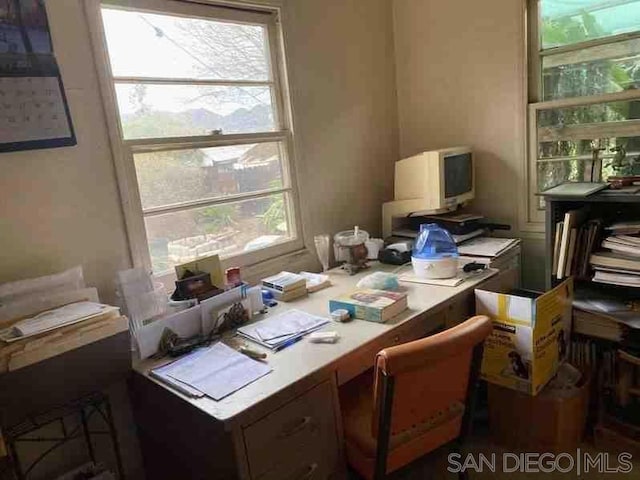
x=460 y=79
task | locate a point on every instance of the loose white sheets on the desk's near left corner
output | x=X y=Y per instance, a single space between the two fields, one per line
x=217 y=372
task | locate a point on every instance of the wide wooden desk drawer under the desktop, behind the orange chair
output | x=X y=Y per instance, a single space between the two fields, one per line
x=361 y=360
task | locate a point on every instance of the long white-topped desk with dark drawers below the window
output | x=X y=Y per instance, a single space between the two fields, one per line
x=288 y=424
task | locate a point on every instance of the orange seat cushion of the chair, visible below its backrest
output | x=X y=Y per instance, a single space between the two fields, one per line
x=356 y=399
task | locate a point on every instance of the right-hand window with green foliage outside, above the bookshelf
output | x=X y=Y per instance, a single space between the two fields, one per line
x=584 y=92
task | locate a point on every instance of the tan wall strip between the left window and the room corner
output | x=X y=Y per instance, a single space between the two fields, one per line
x=343 y=90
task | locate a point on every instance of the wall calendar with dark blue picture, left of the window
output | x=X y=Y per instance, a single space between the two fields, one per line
x=33 y=107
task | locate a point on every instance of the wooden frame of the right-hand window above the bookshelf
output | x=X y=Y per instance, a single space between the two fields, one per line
x=534 y=217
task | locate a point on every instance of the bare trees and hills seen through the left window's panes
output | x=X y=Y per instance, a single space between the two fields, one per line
x=206 y=50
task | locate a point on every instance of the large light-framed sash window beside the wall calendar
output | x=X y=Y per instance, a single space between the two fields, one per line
x=200 y=130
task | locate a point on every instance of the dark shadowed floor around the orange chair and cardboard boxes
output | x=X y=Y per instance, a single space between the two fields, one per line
x=434 y=466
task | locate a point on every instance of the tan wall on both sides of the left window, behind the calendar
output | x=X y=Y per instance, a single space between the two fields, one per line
x=61 y=207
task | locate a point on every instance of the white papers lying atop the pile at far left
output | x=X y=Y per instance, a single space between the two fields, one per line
x=52 y=319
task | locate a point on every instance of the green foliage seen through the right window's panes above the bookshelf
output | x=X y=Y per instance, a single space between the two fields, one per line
x=600 y=70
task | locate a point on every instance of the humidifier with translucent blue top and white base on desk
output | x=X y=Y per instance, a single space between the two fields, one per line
x=435 y=254
